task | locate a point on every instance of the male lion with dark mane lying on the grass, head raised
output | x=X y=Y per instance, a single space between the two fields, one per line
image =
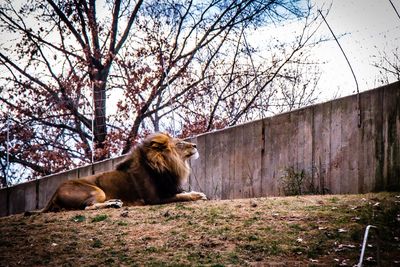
x=152 y=174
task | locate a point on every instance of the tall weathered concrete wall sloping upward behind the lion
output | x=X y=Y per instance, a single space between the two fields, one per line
x=249 y=160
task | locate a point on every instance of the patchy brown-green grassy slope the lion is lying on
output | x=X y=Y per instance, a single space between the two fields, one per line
x=278 y=231
